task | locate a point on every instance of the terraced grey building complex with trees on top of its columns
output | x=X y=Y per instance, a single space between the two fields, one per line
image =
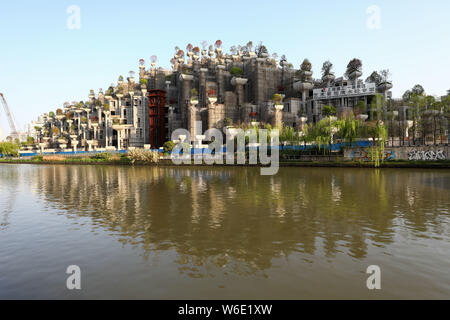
x=209 y=86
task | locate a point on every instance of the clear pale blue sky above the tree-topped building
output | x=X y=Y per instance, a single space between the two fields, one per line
x=43 y=63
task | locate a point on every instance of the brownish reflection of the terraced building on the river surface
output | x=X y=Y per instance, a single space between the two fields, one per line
x=233 y=217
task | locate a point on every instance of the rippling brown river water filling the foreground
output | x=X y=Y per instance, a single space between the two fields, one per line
x=231 y=227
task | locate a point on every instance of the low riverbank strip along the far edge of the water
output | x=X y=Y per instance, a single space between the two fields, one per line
x=444 y=164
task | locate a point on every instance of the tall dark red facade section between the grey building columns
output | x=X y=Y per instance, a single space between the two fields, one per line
x=157 y=117
